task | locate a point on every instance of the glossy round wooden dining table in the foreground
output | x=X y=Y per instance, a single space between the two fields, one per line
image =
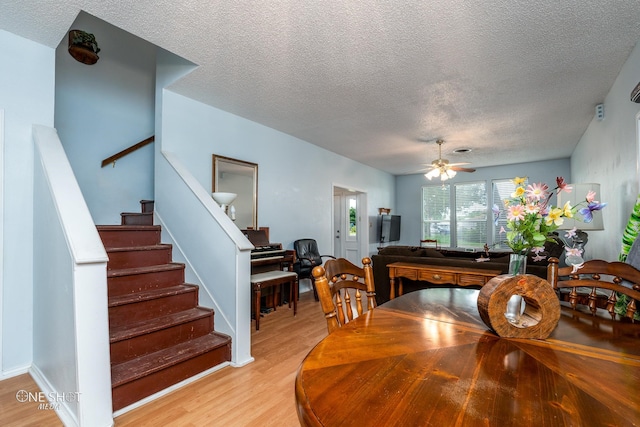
x=427 y=359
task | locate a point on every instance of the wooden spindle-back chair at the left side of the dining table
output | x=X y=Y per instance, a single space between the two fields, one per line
x=341 y=285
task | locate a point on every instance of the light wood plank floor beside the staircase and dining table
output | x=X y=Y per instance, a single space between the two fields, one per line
x=259 y=394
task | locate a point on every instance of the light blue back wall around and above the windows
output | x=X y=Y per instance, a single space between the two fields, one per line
x=409 y=189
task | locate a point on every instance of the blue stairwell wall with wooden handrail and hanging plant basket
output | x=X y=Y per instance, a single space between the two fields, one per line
x=102 y=109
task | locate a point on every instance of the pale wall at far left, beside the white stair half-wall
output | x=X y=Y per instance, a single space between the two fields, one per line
x=27 y=88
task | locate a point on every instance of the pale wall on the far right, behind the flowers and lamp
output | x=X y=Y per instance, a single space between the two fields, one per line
x=608 y=154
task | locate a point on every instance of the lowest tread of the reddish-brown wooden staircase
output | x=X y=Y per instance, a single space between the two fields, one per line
x=162 y=359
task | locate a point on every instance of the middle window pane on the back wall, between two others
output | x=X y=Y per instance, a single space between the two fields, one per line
x=471 y=214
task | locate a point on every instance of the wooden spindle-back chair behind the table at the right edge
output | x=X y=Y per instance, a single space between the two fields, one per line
x=598 y=285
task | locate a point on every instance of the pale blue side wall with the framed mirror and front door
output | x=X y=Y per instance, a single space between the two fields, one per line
x=295 y=183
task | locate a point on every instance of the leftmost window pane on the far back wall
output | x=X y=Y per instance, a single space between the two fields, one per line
x=436 y=223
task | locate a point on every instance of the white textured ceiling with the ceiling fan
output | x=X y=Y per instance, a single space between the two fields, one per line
x=513 y=80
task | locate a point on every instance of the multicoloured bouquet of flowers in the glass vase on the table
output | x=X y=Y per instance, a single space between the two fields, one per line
x=531 y=220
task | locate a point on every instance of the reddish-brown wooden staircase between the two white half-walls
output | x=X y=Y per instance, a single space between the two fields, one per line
x=159 y=335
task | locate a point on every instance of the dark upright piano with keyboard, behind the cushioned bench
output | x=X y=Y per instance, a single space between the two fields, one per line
x=268 y=256
